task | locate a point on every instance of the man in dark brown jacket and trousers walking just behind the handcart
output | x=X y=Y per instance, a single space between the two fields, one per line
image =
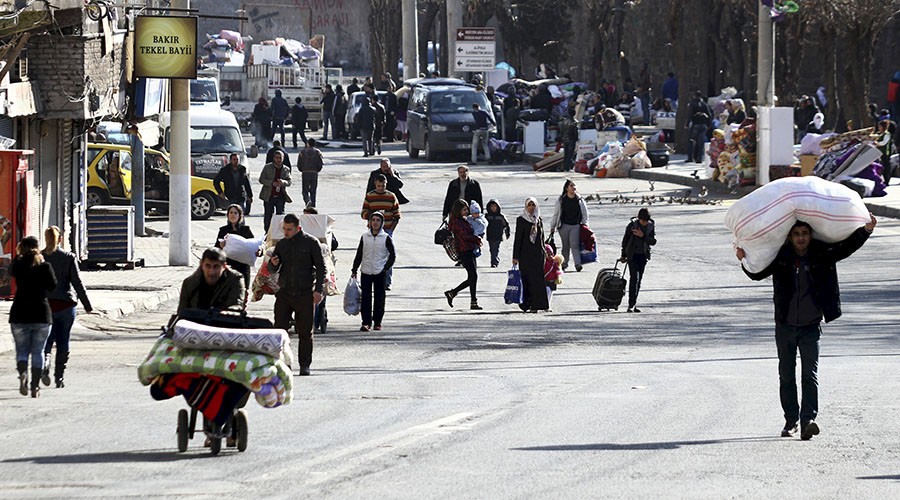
x=301 y=277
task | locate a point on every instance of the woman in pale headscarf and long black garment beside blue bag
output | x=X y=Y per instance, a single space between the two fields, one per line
x=528 y=254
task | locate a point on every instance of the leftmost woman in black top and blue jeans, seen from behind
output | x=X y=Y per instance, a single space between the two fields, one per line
x=30 y=315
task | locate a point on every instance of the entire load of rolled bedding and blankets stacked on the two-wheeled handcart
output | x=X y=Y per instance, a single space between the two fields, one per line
x=221 y=364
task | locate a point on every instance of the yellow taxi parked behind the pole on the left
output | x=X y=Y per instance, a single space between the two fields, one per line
x=109 y=181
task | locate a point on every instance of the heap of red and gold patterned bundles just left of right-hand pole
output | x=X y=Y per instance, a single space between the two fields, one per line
x=732 y=154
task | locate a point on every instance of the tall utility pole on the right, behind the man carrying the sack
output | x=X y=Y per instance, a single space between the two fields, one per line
x=765 y=93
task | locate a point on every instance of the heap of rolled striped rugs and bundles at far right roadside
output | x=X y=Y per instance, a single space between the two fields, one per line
x=850 y=158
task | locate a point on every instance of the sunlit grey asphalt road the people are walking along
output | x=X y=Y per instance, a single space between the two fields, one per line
x=678 y=401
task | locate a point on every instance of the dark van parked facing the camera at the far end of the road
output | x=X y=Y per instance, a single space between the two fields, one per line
x=439 y=119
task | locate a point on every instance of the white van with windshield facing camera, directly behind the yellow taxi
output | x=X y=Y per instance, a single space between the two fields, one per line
x=214 y=136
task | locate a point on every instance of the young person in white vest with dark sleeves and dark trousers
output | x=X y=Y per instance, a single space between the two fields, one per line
x=374 y=256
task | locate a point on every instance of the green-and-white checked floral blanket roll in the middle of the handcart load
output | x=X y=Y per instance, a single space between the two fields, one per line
x=270 y=379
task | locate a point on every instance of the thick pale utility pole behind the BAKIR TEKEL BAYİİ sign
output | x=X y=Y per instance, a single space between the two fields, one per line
x=180 y=168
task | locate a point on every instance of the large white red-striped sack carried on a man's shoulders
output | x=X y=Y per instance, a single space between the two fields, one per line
x=762 y=220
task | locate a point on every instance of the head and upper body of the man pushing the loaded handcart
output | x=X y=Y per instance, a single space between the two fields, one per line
x=212 y=285
